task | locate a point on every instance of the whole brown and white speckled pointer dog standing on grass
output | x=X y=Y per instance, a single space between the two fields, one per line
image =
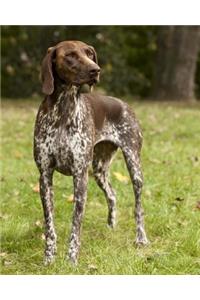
x=73 y=130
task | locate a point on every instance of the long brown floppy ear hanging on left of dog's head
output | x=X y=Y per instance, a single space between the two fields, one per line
x=47 y=72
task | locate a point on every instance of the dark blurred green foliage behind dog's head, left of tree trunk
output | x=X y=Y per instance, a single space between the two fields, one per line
x=126 y=55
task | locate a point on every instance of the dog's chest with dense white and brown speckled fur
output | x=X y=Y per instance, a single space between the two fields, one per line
x=66 y=134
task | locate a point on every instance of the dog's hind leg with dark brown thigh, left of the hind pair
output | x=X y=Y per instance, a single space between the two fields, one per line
x=103 y=153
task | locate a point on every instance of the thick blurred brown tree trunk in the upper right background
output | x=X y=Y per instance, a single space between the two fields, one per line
x=177 y=54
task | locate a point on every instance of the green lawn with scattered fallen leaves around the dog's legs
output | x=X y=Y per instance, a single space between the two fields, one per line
x=171 y=195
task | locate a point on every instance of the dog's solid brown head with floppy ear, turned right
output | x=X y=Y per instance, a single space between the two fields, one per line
x=74 y=62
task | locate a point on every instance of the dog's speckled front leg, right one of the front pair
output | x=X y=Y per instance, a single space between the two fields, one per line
x=80 y=194
